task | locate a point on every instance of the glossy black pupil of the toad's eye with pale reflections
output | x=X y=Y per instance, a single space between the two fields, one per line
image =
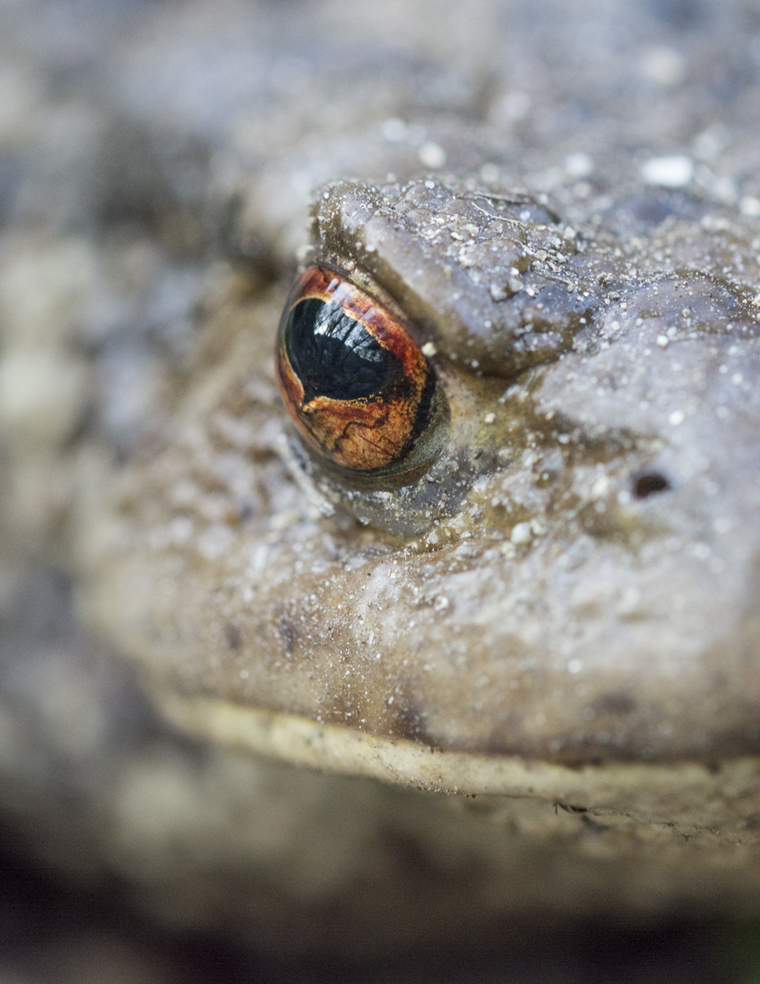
x=333 y=354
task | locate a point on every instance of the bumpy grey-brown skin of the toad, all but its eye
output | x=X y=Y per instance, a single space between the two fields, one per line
x=563 y=201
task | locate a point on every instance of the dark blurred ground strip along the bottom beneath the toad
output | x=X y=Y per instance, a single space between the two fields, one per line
x=52 y=934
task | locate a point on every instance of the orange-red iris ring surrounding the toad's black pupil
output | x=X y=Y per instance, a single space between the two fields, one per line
x=368 y=433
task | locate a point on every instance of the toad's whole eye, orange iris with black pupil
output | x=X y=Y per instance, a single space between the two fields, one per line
x=356 y=384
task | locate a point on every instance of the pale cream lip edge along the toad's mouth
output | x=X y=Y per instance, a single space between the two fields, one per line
x=685 y=795
